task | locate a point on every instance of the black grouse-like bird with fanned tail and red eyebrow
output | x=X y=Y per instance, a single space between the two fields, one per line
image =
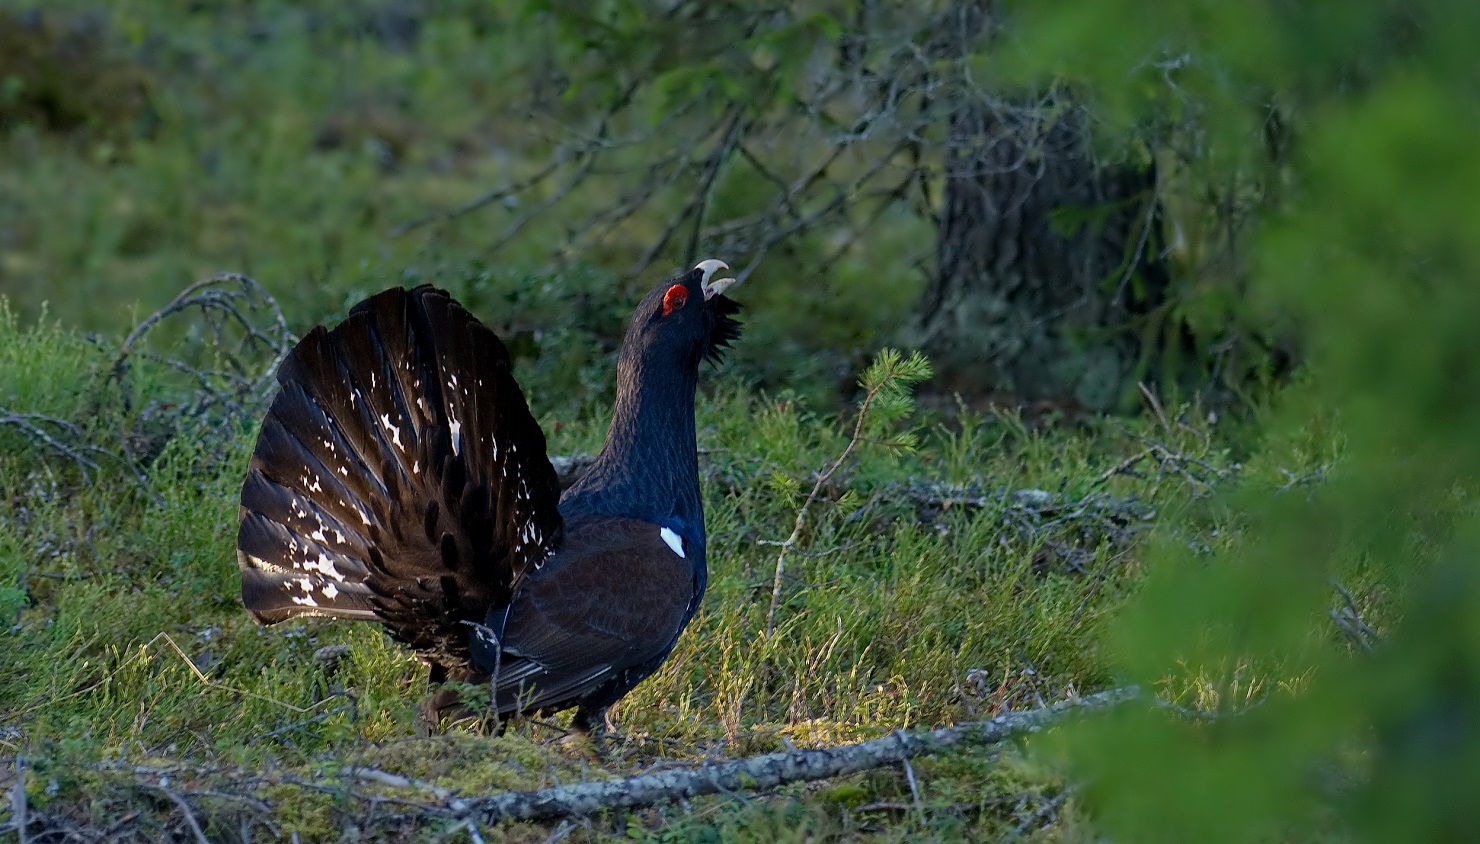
x=400 y=478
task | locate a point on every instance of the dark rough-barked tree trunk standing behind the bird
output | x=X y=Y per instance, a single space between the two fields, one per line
x=1046 y=261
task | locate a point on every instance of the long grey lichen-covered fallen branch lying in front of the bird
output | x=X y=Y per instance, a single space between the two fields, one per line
x=772 y=771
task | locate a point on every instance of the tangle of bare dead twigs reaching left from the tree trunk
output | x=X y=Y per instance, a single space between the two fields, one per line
x=824 y=141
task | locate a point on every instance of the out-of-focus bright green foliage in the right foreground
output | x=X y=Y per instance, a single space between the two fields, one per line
x=1374 y=257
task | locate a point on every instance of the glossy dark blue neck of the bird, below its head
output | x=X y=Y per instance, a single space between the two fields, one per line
x=649 y=467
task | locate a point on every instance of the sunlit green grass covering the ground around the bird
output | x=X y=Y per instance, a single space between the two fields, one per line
x=899 y=612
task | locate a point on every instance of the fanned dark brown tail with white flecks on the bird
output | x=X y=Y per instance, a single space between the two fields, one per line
x=384 y=483
